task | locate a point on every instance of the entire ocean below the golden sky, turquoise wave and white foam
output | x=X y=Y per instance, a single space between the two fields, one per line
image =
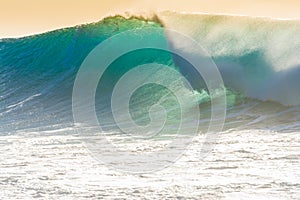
x=256 y=155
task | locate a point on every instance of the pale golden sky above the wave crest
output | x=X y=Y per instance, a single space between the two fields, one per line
x=25 y=17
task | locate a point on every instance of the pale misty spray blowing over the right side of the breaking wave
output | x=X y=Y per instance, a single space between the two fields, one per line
x=258 y=57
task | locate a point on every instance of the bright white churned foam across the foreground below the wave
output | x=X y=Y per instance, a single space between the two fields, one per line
x=245 y=164
